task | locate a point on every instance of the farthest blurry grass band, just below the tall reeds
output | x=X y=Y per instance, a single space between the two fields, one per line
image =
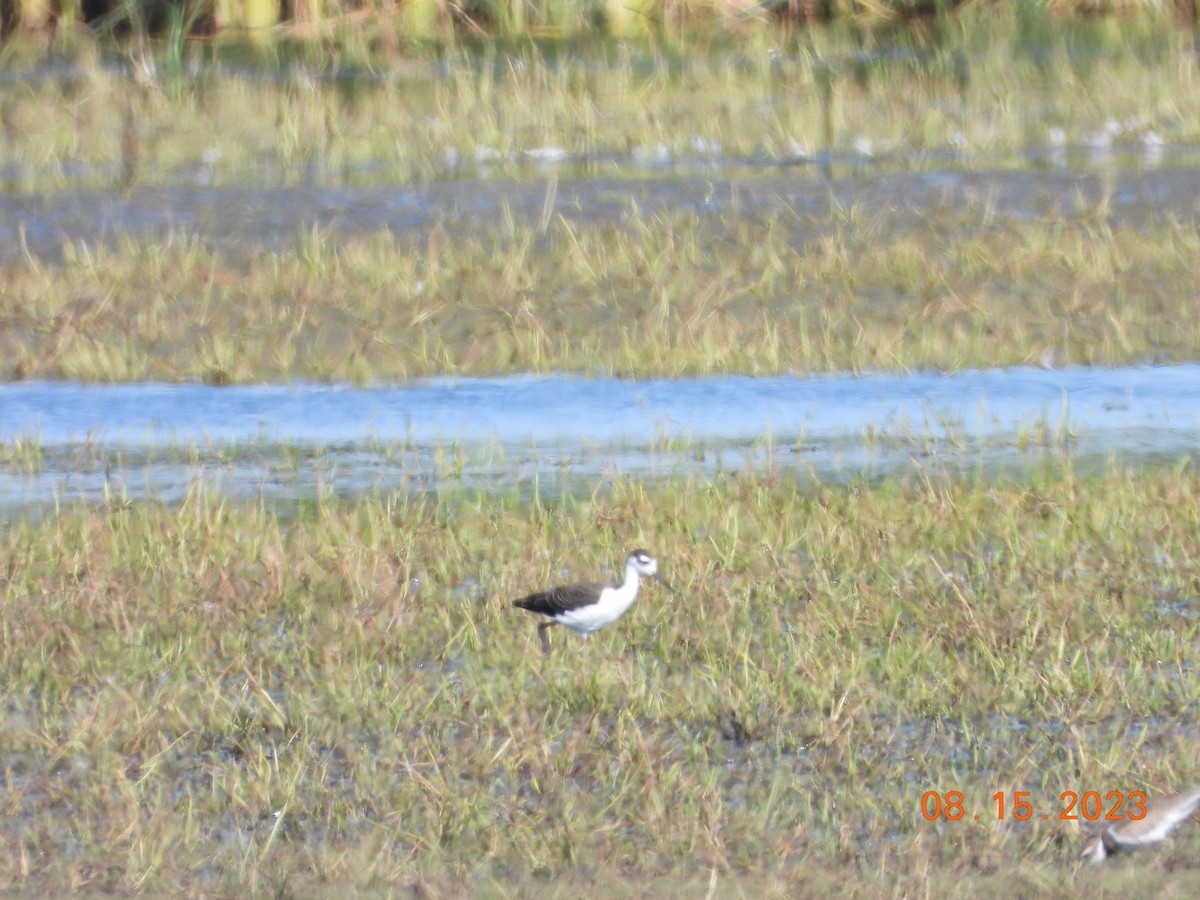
x=994 y=80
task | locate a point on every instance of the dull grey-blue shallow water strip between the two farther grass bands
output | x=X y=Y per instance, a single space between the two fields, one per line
x=239 y=219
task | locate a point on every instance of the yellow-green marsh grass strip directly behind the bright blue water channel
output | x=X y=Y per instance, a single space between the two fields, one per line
x=657 y=295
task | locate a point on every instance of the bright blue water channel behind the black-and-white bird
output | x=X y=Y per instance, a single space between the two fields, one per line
x=566 y=433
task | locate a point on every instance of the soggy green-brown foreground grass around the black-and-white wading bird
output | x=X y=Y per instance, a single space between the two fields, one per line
x=206 y=698
